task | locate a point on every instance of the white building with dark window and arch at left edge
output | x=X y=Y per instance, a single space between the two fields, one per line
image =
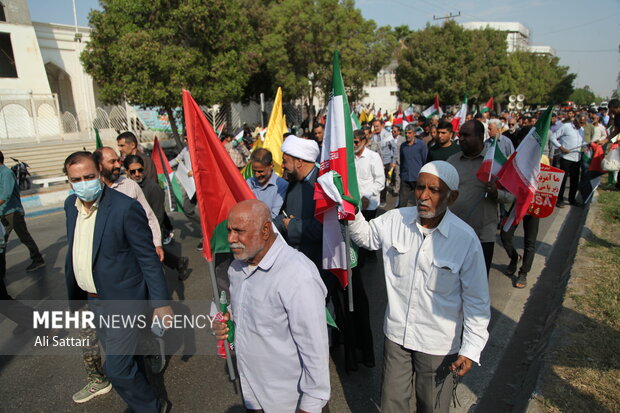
x=44 y=91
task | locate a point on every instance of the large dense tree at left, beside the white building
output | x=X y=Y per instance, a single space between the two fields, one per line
x=147 y=51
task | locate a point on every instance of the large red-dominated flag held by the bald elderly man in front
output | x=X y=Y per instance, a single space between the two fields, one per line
x=219 y=186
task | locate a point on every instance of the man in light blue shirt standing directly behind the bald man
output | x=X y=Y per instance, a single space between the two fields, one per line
x=267 y=186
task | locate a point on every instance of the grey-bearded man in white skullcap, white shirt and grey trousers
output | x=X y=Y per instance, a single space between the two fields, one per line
x=437 y=289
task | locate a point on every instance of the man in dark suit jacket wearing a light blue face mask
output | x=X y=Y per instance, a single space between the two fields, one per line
x=111 y=256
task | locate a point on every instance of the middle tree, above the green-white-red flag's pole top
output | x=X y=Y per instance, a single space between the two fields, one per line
x=302 y=37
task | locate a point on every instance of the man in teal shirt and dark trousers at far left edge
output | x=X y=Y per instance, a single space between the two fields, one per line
x=12 y=215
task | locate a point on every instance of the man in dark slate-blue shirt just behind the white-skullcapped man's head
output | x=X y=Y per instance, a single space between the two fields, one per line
x=413 y=154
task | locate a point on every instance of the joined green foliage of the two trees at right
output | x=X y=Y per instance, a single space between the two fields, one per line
x=451 y=61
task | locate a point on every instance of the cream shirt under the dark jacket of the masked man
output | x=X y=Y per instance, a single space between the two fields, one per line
x=83 y=245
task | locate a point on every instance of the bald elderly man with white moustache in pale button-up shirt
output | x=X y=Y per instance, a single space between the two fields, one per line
x=278 y=306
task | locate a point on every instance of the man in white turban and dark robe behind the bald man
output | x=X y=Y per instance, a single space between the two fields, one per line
x=296 y=220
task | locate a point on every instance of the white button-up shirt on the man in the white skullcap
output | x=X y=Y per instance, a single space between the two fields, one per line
x=436 y=285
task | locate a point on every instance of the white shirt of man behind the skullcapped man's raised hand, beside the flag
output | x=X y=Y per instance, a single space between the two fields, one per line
x=370 y=177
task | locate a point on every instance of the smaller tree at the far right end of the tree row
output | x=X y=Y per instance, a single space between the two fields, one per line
x=539 y=78
